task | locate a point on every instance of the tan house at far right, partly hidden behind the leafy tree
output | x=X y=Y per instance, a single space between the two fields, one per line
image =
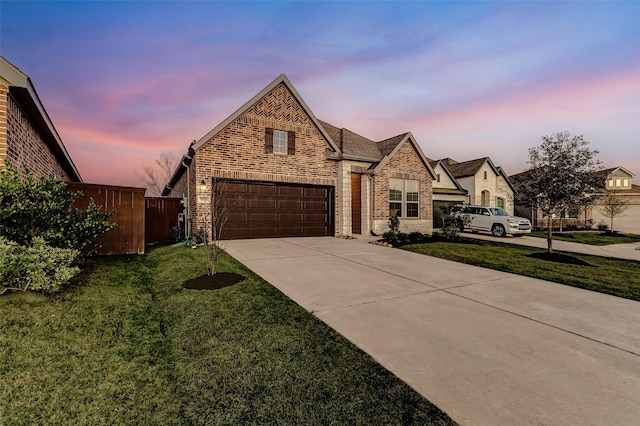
x=618 y=180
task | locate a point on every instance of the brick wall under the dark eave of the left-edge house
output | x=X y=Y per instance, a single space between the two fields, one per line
x=23 y=145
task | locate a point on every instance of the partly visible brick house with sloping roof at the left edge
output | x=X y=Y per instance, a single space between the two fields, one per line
x=27 y=135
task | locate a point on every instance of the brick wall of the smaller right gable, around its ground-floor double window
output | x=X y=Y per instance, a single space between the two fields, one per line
x=405 y=164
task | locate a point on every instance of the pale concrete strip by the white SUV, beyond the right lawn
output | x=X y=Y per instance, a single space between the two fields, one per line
x=620 y=251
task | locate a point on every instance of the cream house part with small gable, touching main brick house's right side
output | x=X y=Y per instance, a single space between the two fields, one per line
x=447 y=192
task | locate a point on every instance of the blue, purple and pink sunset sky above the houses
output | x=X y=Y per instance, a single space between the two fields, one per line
x=123 y=81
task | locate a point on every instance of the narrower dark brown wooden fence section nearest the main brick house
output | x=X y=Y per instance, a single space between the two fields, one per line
x=161 y=216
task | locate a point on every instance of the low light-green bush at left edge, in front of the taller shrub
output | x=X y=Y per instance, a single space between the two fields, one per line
x=39 y=267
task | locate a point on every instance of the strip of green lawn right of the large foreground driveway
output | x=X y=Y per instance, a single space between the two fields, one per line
x=605 y=275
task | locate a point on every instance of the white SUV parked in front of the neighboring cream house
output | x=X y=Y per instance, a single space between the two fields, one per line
x=492 y=219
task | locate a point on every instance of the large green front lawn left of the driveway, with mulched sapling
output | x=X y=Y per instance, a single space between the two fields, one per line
x=130 y=346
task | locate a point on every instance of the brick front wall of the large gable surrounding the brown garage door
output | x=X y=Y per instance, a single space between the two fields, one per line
x=238 y=151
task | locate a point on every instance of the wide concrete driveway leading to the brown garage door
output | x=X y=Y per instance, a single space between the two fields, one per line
x=487 y=347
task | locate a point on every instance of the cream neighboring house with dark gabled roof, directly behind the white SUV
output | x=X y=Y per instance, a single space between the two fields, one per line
x=486 y=184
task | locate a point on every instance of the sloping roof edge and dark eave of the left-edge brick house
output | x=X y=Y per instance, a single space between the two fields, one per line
x=24 y=92
